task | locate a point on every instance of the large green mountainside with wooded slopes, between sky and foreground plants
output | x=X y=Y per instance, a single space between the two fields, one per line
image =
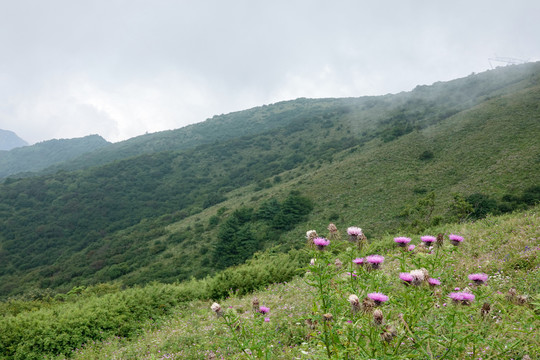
x=185 y=203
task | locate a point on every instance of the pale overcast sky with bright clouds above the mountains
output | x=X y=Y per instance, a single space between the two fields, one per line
x=120 y=68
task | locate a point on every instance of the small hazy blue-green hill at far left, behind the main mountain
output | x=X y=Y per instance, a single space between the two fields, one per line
x=47 y=153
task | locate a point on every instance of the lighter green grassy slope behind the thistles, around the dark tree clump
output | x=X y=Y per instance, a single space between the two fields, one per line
x=377 y=182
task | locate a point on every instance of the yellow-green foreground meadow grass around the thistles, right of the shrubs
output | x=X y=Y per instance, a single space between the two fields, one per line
x=506 y=248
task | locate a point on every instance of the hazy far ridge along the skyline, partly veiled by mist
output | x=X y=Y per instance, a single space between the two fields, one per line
x=392 y=115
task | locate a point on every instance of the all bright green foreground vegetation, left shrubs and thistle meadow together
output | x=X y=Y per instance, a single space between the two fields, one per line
x=313 y=315
